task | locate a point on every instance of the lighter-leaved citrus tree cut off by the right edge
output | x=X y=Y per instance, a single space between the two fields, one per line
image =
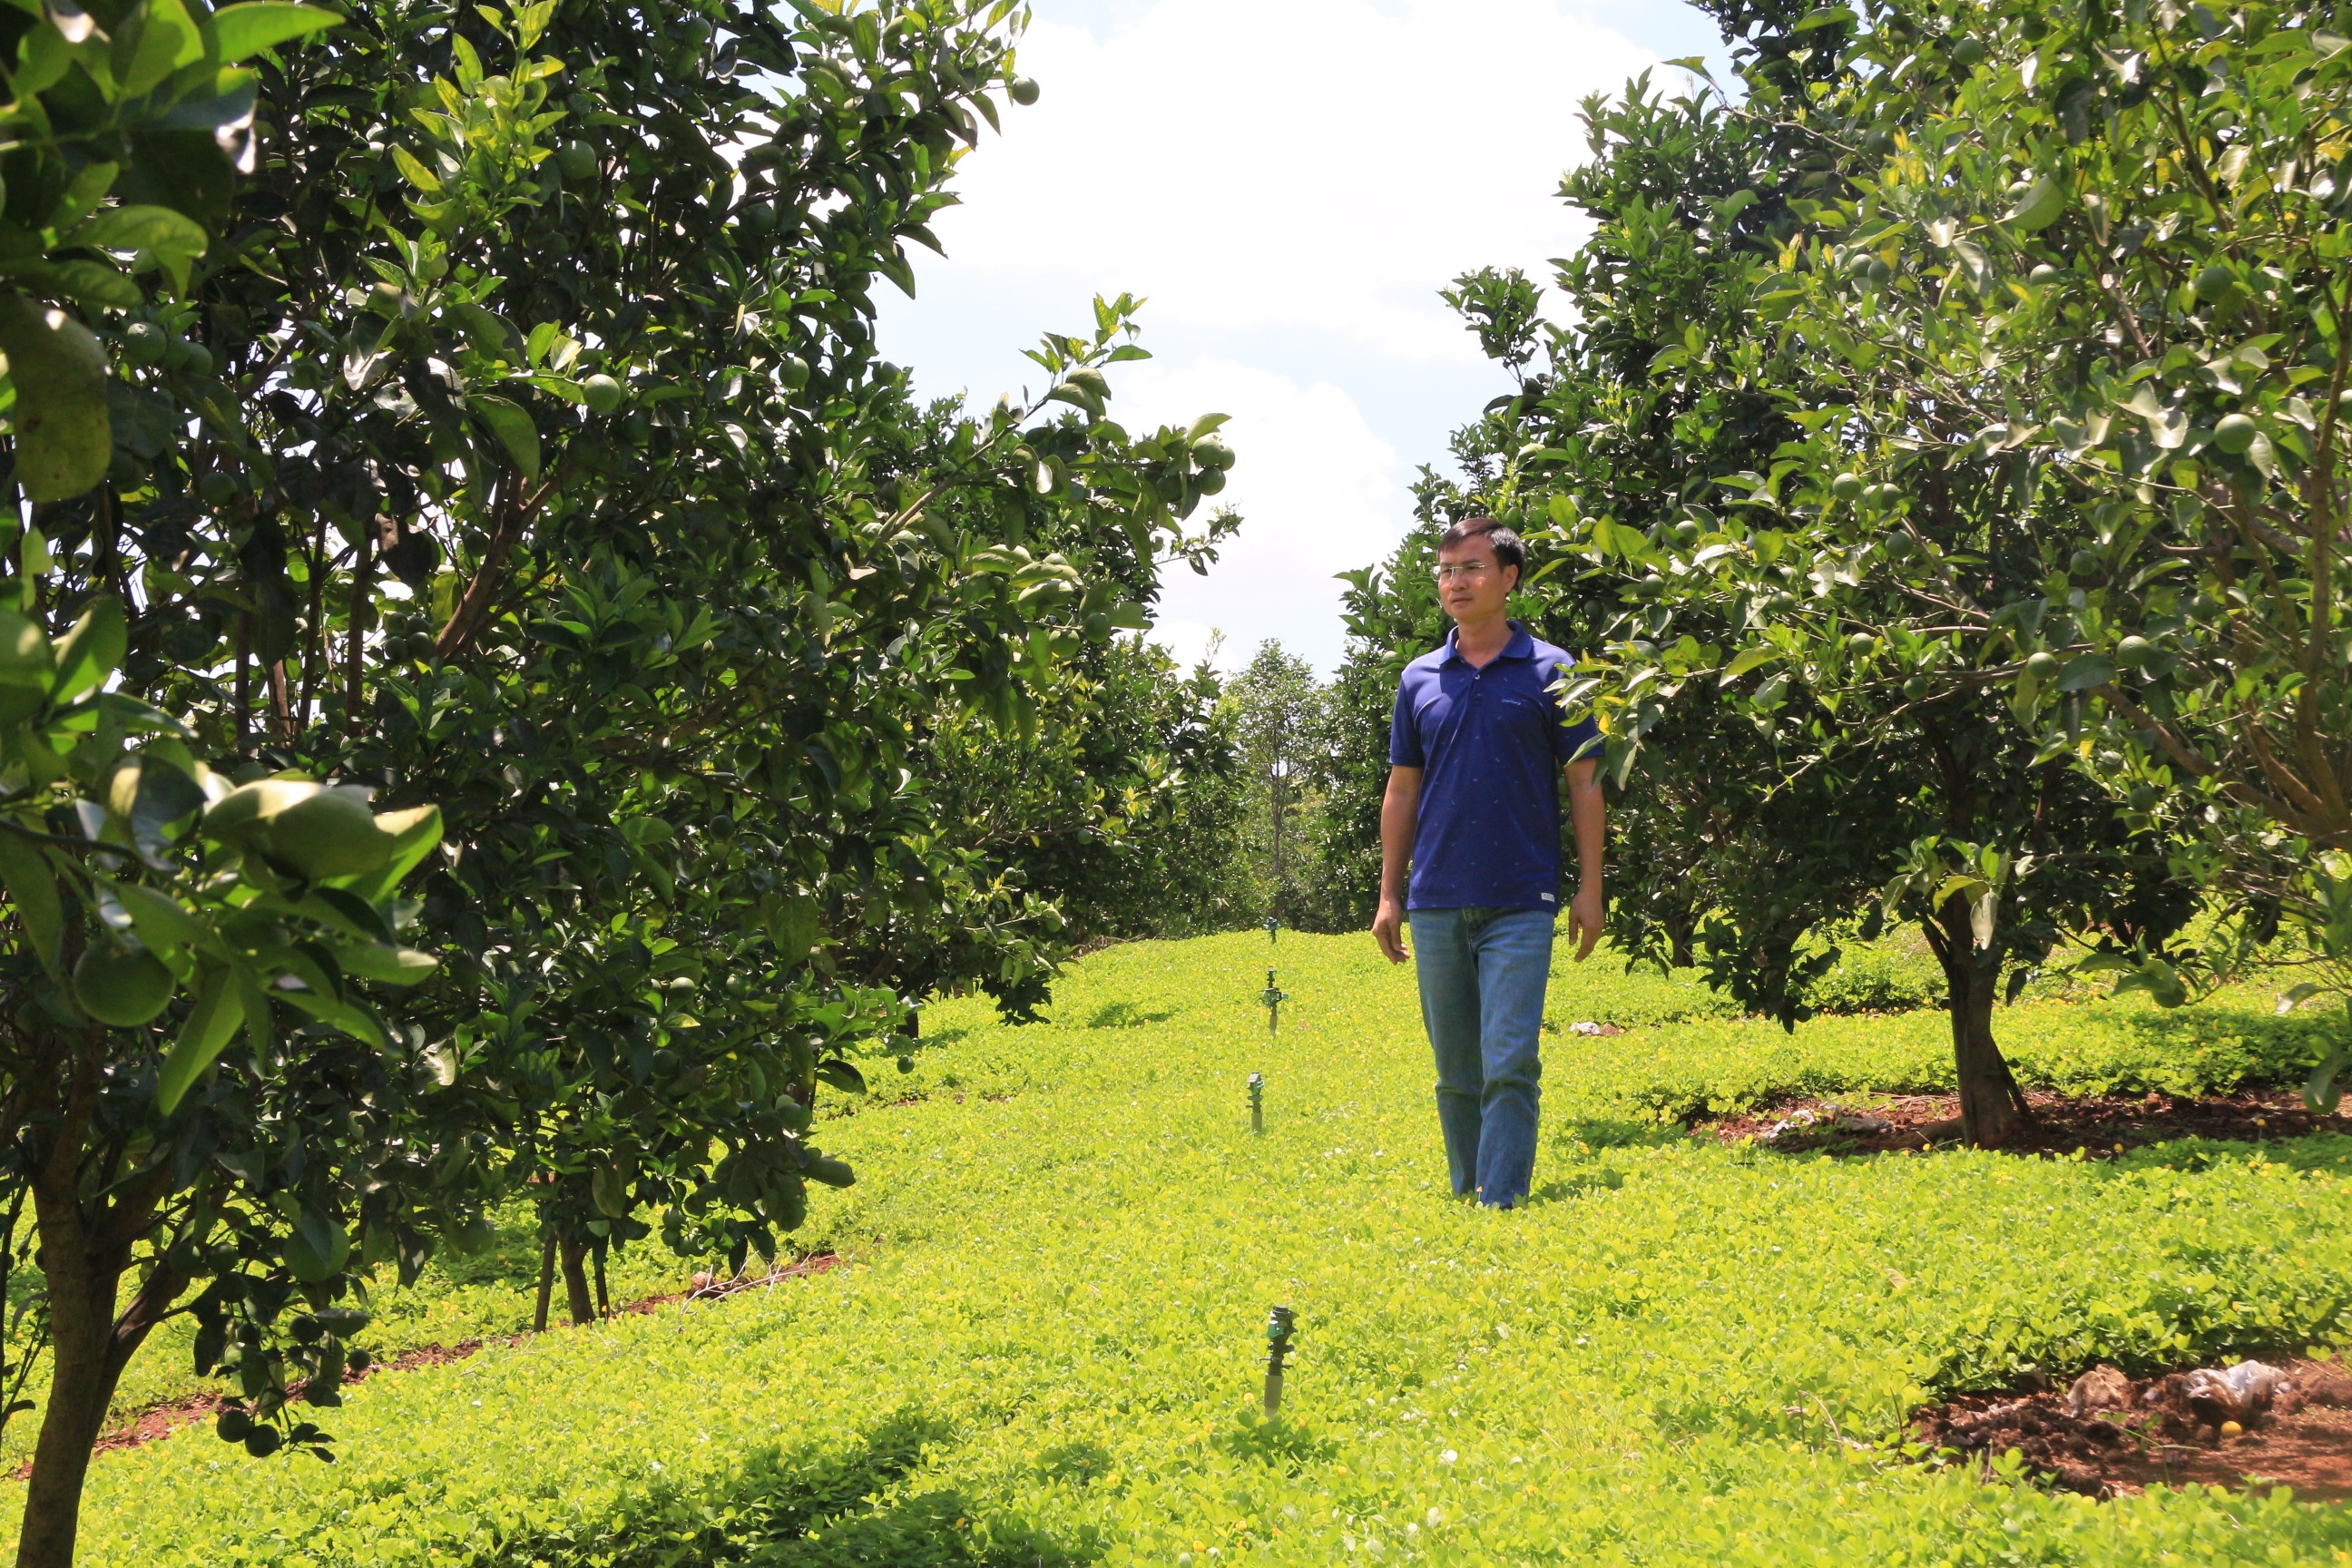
x=2109 y=257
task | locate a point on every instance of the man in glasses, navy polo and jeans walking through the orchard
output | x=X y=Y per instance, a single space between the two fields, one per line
x=1474 y=803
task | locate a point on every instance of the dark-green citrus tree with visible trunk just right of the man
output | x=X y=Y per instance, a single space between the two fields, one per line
x=1826 y=751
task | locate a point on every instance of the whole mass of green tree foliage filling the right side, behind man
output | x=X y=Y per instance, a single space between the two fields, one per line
x=1855 y=631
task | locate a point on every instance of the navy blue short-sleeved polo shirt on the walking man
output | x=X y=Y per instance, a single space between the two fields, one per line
x=1490 y=746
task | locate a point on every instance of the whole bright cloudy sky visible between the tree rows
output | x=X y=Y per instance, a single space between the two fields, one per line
x=1290 y=182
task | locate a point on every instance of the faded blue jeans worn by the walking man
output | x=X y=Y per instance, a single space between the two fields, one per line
x=1483 y=977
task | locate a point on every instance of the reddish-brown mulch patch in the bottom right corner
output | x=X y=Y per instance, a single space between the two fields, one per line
x=2156 y=1440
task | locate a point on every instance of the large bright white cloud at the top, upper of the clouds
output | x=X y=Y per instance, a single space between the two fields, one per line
x=1316 y=166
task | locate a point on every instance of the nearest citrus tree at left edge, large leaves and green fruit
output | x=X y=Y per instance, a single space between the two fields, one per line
x=201 y=1092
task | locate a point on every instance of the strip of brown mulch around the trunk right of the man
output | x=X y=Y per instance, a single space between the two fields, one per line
x=2094 y=1125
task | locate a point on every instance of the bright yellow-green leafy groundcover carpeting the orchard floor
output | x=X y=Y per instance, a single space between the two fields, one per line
x=1064 y=1245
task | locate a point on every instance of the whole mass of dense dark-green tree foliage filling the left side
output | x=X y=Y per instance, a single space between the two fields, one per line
x=481 y=408
